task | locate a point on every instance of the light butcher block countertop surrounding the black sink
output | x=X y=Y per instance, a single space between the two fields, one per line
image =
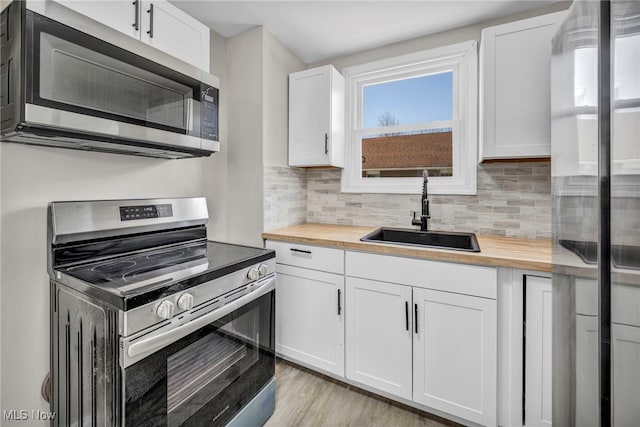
x=527 y=254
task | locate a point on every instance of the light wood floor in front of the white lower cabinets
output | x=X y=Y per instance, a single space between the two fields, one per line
x=304 y=398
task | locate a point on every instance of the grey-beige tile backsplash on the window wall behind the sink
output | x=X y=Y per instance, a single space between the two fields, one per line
x=513 y=199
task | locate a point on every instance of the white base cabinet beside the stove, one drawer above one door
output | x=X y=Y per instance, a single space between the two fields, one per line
x=310 y=305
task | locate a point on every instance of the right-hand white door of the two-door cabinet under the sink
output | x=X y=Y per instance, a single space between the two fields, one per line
x=454 y=354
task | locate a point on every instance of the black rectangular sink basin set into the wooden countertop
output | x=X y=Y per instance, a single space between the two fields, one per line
x=429 y=239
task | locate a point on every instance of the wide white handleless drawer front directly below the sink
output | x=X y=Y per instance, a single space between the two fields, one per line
x=444 y=276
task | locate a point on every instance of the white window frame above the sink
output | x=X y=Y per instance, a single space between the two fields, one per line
x=462 y=59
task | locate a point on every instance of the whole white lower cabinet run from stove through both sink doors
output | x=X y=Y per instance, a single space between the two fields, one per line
x=422 y=331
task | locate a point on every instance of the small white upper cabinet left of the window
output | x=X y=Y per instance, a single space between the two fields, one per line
x=316 y=117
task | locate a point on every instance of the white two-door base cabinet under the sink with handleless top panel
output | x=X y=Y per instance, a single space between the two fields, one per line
x=424 y=343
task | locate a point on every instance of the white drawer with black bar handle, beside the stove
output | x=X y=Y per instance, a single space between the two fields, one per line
x=307 y=256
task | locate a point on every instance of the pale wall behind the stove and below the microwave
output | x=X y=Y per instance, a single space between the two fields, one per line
x=33 y=176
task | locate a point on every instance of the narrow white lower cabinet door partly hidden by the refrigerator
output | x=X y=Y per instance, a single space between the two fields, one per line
x=538 y=352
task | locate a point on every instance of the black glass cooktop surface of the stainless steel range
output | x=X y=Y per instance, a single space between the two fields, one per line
x=152 y=268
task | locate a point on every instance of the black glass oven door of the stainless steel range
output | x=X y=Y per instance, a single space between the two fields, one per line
x=207 y=376
